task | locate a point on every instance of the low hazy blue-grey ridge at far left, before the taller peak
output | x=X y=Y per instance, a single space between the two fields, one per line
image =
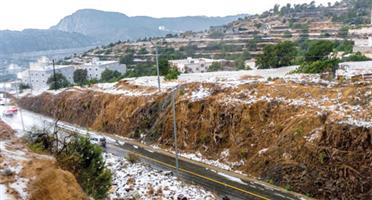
x=37 y=40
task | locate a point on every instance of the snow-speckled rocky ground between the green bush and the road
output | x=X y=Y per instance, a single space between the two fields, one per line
x=139 y=179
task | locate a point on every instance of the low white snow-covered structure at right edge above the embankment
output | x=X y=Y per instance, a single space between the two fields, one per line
x=355 y=71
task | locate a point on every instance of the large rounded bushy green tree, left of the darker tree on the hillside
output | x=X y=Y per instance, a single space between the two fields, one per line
x=282 y=54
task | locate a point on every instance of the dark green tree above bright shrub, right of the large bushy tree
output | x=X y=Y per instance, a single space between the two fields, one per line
x=319 y=50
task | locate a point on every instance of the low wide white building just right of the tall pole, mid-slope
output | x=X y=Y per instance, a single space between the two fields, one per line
x=193 y=65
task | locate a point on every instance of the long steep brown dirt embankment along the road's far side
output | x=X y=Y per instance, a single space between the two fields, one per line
x=311 y=139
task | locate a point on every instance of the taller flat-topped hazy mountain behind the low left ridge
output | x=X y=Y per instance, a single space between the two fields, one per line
x=113 y=26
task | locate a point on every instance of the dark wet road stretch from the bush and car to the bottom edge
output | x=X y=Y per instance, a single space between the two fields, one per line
x=222 y=184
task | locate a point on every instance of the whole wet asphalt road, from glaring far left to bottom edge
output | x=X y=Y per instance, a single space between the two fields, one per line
x=214 y=180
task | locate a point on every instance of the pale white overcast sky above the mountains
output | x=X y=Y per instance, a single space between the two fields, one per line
x=21 y=14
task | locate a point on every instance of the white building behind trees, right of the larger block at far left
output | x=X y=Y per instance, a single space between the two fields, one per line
x=96 y=67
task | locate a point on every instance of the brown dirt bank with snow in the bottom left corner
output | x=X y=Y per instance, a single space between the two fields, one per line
x=26 y=175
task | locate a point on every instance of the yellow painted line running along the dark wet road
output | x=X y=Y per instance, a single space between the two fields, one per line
x=204 y=177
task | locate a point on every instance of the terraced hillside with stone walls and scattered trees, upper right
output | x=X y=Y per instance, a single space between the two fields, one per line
x=245 y=38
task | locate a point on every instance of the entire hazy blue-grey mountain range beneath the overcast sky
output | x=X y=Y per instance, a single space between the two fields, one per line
x=89 y=27
